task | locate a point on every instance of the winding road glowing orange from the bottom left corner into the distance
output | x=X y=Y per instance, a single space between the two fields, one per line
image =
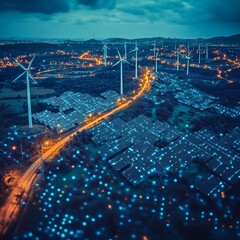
x=13 y=205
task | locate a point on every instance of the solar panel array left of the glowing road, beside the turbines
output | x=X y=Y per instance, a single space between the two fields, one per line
x=79 y=104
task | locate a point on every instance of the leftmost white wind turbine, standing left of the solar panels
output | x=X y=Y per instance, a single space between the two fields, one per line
x=28 y=75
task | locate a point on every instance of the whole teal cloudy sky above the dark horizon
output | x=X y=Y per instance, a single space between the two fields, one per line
x=83 y=19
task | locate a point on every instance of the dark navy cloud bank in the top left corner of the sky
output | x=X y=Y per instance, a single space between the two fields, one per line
x=35 y=6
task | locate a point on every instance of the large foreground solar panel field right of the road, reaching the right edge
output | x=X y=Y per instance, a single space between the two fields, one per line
x=129 y=148
